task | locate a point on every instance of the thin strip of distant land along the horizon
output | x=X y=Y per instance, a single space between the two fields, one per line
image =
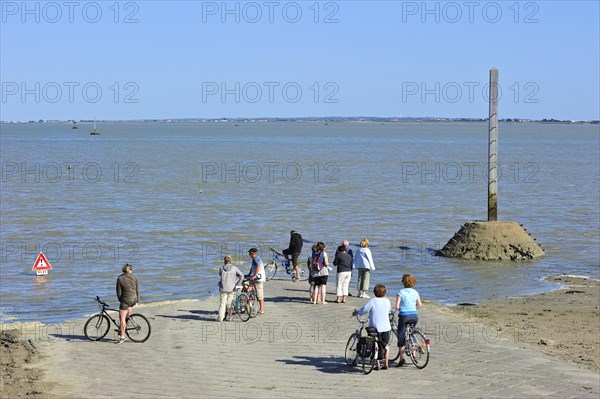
x=325 y=120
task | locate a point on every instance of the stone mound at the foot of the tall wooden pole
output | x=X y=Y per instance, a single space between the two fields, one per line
x=492 y=240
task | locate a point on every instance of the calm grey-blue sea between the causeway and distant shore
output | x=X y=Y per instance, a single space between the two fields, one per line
x=172 y=199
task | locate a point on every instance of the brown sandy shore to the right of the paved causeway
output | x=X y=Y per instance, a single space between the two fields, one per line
x=564 y=323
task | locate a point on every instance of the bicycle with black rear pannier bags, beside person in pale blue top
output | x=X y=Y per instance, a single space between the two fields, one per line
x=364 y=348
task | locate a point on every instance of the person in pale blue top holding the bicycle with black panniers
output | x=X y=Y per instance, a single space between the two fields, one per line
x=379 y=317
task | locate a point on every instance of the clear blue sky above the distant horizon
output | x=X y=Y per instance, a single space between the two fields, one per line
x=210 y=59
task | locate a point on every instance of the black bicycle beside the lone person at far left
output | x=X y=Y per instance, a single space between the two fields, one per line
x=96 y=327
